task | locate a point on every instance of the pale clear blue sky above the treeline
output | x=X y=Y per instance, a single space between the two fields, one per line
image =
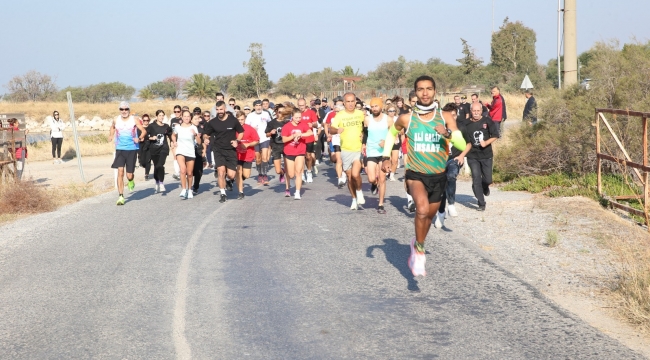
x=137 y=42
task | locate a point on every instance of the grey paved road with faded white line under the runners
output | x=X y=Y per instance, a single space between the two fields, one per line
x=265 y=278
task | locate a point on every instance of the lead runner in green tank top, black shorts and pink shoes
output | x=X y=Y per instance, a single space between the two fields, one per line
x=428 y=130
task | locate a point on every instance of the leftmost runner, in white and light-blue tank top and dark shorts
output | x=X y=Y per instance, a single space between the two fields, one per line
x=124 y=129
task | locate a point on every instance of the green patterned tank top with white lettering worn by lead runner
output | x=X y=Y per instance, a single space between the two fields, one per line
x=426 y=149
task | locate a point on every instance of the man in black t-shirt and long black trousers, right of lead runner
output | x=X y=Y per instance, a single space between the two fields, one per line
x=481 y=132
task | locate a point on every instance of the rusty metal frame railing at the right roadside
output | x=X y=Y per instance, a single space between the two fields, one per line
x=638 y=170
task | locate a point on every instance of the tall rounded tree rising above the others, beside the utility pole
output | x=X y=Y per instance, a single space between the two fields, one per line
x=513 y=48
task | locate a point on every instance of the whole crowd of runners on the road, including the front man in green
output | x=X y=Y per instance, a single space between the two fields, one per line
x=432 y=142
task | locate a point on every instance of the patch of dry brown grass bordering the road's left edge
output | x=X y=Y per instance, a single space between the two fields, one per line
x=26 y=197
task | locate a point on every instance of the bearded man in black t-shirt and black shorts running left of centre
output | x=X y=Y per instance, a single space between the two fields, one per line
x=224 y=129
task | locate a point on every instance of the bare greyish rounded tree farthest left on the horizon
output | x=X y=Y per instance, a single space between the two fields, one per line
x=33 y=86
